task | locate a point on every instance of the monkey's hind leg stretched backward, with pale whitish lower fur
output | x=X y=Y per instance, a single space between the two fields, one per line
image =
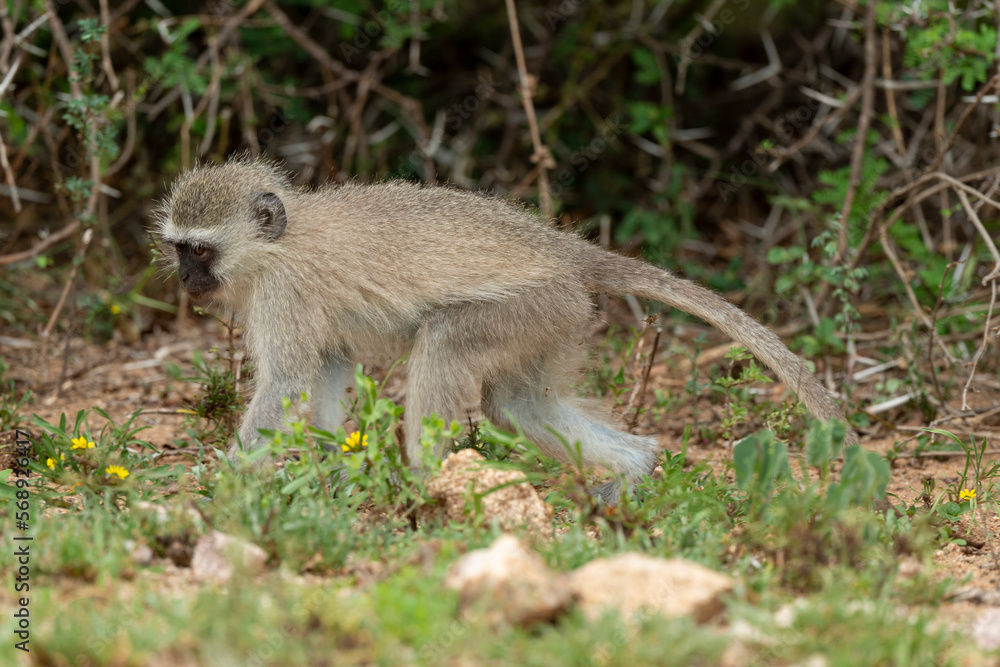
x=539 y=409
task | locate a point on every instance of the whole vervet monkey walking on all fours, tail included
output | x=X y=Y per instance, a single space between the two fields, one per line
x=492 y=303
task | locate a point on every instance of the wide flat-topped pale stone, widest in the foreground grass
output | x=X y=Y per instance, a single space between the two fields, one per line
x=640 y=585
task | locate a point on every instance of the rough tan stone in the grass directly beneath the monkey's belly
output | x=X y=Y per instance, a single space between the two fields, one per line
x=514 y=506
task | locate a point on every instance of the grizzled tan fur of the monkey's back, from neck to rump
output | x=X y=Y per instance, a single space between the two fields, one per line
x=434 y=243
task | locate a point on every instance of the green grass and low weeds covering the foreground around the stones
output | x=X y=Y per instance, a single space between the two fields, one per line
x=352 y=578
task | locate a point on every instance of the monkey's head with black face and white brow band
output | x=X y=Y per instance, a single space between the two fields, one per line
x=218 y=222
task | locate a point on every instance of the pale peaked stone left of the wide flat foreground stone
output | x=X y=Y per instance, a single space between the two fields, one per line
x=507 y=584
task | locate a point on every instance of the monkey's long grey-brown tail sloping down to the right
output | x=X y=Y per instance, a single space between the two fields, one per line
x=625 y=275
